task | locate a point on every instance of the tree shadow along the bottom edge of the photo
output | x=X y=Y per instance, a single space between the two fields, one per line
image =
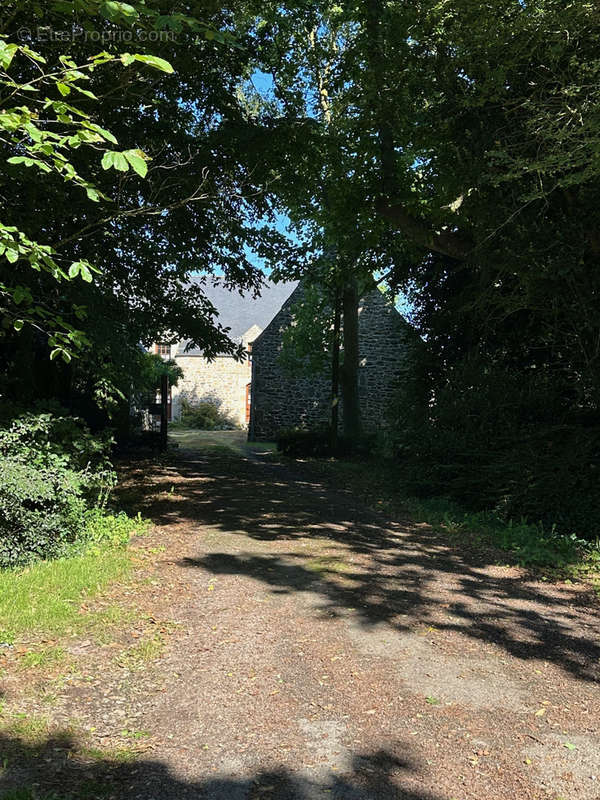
x=60 y=766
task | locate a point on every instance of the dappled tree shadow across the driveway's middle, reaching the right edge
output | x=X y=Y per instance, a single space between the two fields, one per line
x=380 y=571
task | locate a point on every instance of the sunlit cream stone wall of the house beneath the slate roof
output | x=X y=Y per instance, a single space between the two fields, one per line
x=222 y=381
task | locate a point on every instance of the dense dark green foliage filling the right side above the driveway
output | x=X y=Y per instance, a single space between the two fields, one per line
x=455 y=147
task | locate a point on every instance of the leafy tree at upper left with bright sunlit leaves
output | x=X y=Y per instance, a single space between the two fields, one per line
x=178 y=194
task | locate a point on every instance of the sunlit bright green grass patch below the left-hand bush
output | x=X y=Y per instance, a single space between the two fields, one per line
x=46 y=597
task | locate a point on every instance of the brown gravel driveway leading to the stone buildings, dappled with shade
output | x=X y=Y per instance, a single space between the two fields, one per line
x=317 y=650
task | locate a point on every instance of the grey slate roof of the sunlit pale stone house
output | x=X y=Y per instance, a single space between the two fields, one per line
x=240 y=312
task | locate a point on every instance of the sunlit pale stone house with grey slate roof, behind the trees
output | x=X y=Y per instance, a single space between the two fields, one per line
x=225 y=381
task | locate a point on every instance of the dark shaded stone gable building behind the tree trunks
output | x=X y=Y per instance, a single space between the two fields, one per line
x=280 y=400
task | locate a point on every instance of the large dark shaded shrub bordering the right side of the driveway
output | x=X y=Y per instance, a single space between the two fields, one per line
x=504 y=441
